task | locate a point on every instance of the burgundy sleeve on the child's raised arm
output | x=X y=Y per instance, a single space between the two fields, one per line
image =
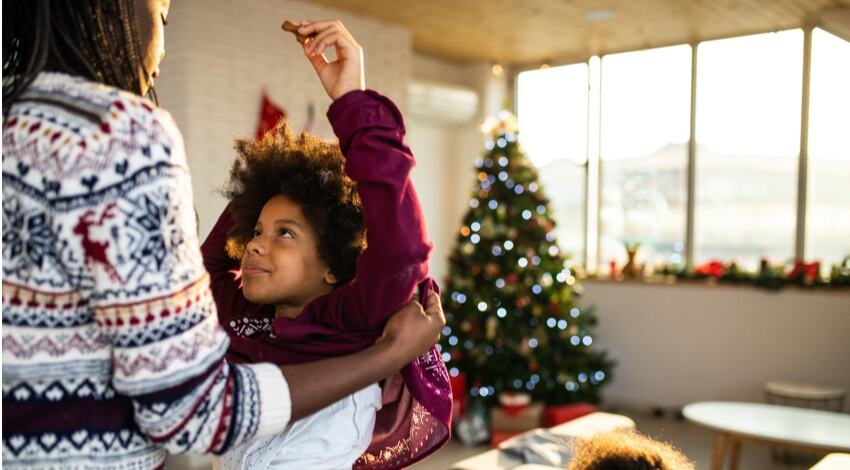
x=371 y=134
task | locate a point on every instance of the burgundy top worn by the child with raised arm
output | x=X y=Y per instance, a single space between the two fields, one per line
x=416 y=414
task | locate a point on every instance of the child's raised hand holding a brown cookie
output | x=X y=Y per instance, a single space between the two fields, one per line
x=346 y=72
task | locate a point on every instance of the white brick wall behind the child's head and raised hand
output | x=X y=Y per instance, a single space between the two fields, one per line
x=219 y=56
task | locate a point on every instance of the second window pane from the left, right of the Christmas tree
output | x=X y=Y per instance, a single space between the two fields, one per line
x=644 y=149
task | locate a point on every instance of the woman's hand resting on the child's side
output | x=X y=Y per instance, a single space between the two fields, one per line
x=411 y=331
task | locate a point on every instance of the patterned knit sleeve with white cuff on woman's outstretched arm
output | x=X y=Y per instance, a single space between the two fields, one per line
x=132 y=248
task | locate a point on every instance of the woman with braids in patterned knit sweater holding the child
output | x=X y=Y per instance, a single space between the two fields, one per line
x=112 y=352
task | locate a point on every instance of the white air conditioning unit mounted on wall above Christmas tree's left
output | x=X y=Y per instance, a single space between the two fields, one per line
x=441 y=102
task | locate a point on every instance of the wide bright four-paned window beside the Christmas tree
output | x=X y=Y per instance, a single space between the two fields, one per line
x=622 y=124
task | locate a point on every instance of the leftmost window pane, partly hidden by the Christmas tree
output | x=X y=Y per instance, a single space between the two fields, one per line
x=552 y=115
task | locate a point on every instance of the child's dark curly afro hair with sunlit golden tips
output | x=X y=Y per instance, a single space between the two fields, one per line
x=309 y=171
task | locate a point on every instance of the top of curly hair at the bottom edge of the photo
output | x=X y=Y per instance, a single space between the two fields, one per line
x=626 y=450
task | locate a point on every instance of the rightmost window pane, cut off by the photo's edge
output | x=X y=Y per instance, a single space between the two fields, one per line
x=828 y=213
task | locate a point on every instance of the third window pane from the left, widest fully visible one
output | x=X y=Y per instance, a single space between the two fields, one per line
x=748 y=143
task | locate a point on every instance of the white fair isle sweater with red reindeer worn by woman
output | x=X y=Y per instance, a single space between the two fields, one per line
x=112 y=352
